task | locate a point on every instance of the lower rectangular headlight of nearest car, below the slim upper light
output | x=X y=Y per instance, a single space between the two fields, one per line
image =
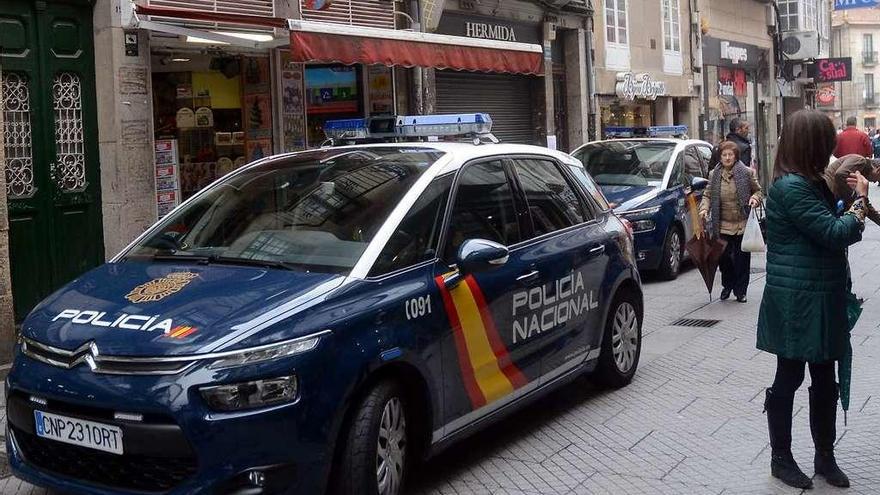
x=251 y=395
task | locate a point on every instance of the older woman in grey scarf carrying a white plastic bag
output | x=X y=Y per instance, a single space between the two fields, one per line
x=732 y=192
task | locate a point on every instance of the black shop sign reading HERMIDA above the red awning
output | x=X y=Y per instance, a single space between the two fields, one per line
x=489 y=28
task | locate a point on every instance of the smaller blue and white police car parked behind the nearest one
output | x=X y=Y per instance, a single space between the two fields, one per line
x=654 y=182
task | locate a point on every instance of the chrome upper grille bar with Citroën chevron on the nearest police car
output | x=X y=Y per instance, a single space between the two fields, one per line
x=88 y=355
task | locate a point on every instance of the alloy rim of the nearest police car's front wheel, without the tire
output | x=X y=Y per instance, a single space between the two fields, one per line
x=391 y=452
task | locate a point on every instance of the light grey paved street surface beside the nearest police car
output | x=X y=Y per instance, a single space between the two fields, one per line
x=690 y=423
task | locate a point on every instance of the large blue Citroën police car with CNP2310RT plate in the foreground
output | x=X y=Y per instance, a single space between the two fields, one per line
x=323 y=319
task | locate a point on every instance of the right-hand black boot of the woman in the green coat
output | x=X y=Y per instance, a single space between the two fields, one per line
x=823 y=425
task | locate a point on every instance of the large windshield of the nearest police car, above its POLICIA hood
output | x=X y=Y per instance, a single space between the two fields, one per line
x=315 y=211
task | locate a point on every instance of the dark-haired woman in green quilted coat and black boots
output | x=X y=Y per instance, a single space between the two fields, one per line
x=803 y=317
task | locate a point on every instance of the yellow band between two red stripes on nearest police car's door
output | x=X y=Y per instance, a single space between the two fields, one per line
x=487 y=371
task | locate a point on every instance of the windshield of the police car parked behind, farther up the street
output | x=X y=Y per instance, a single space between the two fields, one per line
x=626 y=163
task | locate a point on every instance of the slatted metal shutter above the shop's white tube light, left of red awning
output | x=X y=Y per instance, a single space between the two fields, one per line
x=241 y=7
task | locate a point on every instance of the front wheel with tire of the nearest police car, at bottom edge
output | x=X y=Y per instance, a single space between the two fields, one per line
x=374 y=459
